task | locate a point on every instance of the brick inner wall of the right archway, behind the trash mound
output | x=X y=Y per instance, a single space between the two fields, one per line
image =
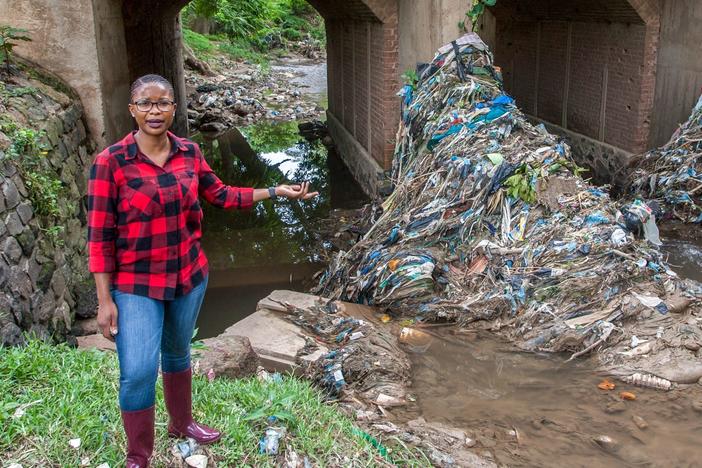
x=592 y=74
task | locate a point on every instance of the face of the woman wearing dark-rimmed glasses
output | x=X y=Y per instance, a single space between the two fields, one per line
x=158 y=119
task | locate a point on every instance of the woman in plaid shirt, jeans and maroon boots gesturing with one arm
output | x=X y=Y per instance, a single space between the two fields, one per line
x=144 y=229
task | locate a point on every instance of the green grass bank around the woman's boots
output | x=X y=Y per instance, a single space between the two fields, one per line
x=73 y=394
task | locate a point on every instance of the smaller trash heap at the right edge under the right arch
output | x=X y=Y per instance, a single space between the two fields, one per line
x=672 y=174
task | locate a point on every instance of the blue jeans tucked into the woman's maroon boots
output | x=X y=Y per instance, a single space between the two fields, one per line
x=145 y=327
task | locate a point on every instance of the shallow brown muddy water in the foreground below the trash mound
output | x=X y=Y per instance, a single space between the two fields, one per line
x=532 y=410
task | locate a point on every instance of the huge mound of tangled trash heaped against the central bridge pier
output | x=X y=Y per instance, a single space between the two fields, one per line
x=490 y=221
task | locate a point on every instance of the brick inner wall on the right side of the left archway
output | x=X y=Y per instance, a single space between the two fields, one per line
x=363 y=57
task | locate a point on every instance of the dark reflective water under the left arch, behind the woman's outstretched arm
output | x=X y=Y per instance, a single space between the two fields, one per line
x=275 y=245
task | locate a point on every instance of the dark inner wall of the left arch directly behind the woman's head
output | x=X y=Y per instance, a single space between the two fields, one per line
x=154 y=40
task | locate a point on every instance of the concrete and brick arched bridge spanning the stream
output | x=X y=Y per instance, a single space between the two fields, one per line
x=615 y=76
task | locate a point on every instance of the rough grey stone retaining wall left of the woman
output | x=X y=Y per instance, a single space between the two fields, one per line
x=42 y=275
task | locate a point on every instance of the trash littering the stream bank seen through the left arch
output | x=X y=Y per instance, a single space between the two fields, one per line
x=242 y=94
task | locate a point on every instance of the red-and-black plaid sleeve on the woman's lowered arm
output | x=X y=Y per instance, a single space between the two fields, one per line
x=102 y=213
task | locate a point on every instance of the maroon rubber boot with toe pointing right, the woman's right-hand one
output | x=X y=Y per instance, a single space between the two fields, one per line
x=177 y=392
